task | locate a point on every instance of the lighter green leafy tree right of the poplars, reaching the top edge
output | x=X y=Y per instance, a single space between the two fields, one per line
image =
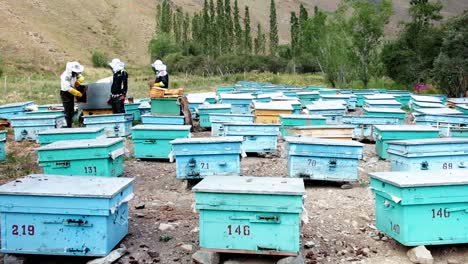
x=366 y=27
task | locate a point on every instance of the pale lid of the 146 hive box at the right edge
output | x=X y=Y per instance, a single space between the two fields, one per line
x=422 y=178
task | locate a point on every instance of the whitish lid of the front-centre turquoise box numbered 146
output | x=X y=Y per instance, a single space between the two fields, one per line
x=251 y=185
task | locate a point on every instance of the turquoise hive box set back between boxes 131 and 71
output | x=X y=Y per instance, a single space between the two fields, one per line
x=153 y=141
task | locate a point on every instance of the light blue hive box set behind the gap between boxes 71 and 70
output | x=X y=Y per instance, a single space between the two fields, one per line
x=257 y=138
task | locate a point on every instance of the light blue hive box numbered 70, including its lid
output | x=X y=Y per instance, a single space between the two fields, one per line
x=324 y=159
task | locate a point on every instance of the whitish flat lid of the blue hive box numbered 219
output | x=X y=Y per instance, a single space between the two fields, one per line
x=76 y=186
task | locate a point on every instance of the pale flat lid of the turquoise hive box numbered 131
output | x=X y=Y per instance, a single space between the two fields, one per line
x=82 y=143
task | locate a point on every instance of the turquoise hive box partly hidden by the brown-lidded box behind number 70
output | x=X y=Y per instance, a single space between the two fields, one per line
x=290 y=121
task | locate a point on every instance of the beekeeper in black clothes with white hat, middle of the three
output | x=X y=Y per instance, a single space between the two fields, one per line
x=119 y=86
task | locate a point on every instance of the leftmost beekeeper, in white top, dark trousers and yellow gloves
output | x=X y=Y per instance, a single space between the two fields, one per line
x=68 y=80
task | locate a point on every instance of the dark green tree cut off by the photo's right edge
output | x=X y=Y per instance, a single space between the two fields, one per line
x=451 y=65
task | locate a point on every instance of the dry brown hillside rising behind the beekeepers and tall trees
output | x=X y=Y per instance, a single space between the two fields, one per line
x=45 y=33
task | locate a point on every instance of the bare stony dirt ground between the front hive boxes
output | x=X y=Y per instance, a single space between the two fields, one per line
x=340 y=227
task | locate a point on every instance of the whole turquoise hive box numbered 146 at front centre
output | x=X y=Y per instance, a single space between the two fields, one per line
x=259 y=215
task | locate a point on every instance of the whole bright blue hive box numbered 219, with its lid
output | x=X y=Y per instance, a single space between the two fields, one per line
x=61 y=215
